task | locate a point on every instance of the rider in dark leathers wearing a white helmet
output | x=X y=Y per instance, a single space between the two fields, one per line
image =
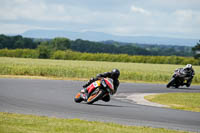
x=189 y=72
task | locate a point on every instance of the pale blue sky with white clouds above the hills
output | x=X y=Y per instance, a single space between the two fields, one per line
x=171 y=18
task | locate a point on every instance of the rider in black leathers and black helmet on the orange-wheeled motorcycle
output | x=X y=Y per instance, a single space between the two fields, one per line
x=114 y=74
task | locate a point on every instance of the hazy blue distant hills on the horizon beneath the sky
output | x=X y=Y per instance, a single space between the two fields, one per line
x=100 y=36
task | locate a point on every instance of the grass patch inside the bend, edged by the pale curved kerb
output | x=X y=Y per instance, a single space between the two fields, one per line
x=183 y=101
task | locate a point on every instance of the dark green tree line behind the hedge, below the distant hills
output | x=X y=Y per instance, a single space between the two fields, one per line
x=46 y=46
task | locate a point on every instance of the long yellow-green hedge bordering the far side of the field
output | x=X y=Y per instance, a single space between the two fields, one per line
x=45 y=52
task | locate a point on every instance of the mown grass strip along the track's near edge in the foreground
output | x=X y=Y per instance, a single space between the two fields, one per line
x=18 y=123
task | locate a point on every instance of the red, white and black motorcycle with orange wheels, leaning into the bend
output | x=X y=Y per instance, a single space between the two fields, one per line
x=96 y=91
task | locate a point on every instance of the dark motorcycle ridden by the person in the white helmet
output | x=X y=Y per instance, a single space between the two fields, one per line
x=178 y=79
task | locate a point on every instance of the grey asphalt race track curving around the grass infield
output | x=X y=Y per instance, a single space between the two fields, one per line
x=56 y=98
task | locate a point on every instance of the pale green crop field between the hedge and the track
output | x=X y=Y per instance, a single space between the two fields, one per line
x=87 y=69
